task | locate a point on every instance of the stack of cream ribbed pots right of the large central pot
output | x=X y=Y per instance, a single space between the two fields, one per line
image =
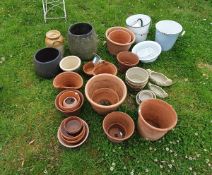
x=136 y=78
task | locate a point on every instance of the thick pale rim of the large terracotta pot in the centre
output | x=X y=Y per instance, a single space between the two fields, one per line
x=110 y=106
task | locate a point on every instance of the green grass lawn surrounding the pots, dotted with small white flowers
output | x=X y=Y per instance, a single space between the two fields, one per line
x=27 y=102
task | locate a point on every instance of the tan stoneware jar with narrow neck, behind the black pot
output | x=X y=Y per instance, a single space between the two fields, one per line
x=55 y=39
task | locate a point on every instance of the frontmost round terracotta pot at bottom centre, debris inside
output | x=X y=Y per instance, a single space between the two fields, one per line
x=118 y=126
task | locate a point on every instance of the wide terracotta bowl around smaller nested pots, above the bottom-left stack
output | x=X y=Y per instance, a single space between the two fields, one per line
x=75 y=111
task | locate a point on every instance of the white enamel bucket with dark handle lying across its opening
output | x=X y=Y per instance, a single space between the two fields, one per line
x=139 y=24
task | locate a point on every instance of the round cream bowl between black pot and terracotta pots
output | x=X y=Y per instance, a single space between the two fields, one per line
x=70 y=63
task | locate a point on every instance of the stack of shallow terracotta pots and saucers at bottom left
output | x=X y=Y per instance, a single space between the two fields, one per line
x=73 y=132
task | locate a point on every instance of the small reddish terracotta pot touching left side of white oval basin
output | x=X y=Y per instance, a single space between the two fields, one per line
x=127 y=60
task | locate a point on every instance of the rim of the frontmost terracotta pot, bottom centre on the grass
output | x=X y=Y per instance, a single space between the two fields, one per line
x=125 y=115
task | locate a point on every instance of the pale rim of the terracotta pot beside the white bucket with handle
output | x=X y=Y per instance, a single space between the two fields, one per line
x=120 y=28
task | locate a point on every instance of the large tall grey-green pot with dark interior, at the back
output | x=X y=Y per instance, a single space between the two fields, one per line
x=82 y=40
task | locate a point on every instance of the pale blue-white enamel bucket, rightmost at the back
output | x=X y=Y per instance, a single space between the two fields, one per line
x=167 y=32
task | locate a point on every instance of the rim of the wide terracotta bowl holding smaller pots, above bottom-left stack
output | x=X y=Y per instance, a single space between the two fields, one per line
x=67 y=111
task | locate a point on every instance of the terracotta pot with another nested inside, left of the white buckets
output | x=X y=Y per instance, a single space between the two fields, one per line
x=121 y=45
